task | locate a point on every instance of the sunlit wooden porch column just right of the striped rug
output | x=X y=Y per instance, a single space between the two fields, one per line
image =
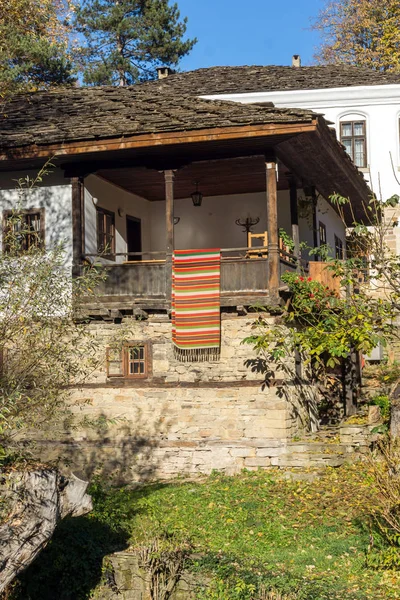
x=272 y=228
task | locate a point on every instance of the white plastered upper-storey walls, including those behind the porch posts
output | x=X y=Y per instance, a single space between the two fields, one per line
x=210 y=225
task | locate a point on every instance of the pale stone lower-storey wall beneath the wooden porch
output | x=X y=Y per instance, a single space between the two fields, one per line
x=186 y=418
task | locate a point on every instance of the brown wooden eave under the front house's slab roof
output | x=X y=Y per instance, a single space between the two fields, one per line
x=308 y=149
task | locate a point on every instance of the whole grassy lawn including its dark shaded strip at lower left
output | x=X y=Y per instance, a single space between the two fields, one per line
x=308 y=540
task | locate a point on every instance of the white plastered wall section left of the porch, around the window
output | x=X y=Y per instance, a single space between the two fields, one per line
x=53 y=194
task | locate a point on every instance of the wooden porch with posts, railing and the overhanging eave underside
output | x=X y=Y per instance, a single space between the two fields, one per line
x=264 y=165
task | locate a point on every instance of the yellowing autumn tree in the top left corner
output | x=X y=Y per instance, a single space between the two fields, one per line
x=34 y=44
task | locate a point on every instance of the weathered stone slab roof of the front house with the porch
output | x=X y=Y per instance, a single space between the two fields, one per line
x=99 y=113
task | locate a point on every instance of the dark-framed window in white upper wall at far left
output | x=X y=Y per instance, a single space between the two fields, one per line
x=26 y=228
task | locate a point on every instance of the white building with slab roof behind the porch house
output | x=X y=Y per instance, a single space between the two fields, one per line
x=362 y=105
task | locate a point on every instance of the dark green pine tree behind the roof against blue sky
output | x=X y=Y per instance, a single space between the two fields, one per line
x=127 y=39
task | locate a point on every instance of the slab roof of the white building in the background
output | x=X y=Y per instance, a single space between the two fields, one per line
x=226 y=80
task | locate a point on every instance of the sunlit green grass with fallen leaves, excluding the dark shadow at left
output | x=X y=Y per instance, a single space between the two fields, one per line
x=256 y=529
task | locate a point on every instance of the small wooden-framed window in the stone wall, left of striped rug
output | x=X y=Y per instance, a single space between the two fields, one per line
x=131 y=361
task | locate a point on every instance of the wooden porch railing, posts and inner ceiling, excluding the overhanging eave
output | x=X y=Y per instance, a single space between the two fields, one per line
x=250 y=275
